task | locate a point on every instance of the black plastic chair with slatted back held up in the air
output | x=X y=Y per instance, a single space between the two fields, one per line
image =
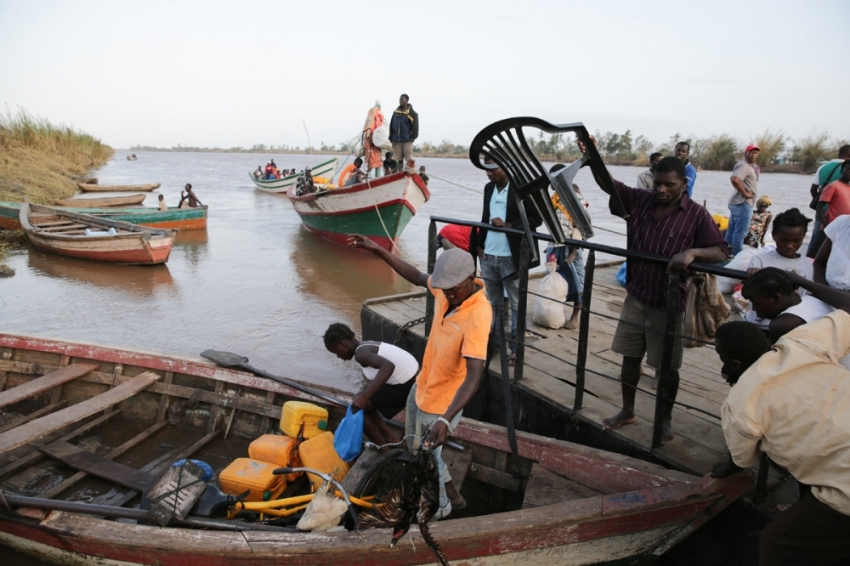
x=505 y=144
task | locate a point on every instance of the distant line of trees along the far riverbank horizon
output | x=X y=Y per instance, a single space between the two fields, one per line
x=719 y=152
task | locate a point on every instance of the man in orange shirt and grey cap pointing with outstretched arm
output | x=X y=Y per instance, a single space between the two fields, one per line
x=454 y=357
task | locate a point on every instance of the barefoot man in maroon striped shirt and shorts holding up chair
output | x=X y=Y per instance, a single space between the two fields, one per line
x=663 y=222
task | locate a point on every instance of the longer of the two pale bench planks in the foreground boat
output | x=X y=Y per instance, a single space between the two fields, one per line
x=38 y=428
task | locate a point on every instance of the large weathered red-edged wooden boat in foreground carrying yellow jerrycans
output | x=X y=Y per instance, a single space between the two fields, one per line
x=574 y=506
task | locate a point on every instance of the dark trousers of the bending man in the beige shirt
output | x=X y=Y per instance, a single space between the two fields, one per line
x=809 y=533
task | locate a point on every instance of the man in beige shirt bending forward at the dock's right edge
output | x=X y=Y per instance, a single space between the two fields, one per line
x=792 y=402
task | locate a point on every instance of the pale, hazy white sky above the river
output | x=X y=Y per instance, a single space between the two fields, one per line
x=236 y=74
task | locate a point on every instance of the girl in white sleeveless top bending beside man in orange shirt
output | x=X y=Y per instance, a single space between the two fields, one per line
x=389 y=368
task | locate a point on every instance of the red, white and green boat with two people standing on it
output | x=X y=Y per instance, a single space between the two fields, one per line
x=379 y=208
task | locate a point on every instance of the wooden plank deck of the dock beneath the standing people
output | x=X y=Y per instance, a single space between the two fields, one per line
x=547 y=389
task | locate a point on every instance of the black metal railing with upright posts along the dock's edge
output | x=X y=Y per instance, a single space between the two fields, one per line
x=671 y=307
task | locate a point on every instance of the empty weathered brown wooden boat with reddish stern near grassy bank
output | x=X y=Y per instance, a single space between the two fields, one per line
x=63 y=232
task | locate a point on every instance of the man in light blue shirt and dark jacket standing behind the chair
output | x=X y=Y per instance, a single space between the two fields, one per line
x=499 y=253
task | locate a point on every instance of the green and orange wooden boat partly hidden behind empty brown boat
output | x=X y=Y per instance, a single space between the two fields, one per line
x=174 y=217
